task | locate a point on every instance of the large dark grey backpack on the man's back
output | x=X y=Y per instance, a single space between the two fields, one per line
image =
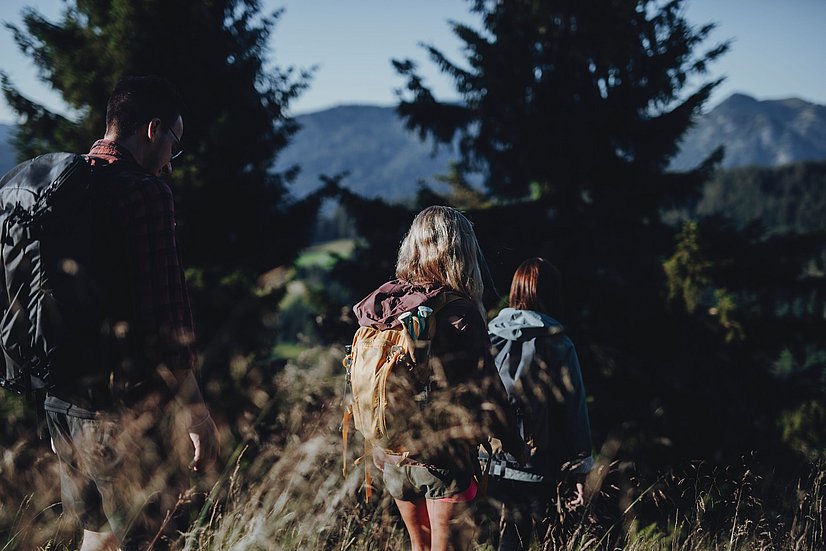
x=50 y=300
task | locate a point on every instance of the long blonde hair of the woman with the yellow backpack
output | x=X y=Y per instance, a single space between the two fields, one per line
x=440 y=247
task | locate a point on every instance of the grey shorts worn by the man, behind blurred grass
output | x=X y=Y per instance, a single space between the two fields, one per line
x=110 y=481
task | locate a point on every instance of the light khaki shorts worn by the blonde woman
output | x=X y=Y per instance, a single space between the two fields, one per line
x=410 y=481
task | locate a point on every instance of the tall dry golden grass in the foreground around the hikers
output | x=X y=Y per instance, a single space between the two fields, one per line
x=282 y=487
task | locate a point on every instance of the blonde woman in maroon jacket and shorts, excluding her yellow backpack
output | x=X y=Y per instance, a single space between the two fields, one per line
x=439 y=268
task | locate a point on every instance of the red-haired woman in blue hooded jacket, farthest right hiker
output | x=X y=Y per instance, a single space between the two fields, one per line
x=539 y=367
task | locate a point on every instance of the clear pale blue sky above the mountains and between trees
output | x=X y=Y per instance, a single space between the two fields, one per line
x=778 y=51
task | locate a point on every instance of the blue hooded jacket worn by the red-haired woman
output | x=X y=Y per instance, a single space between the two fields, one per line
x=539 y=368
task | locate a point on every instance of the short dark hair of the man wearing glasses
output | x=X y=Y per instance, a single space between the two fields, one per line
x=138 y=100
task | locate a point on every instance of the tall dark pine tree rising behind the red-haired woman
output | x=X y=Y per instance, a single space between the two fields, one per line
x=578 y=107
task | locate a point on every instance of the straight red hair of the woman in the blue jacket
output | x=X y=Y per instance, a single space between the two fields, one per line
x=537 y=285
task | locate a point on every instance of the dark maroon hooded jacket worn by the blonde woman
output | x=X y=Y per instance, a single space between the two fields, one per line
x=467 y=400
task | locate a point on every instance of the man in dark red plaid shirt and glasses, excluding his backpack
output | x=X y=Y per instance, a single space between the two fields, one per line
x=123 y=433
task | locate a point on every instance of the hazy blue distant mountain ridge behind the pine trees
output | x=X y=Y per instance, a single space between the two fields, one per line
x=385 y=159
